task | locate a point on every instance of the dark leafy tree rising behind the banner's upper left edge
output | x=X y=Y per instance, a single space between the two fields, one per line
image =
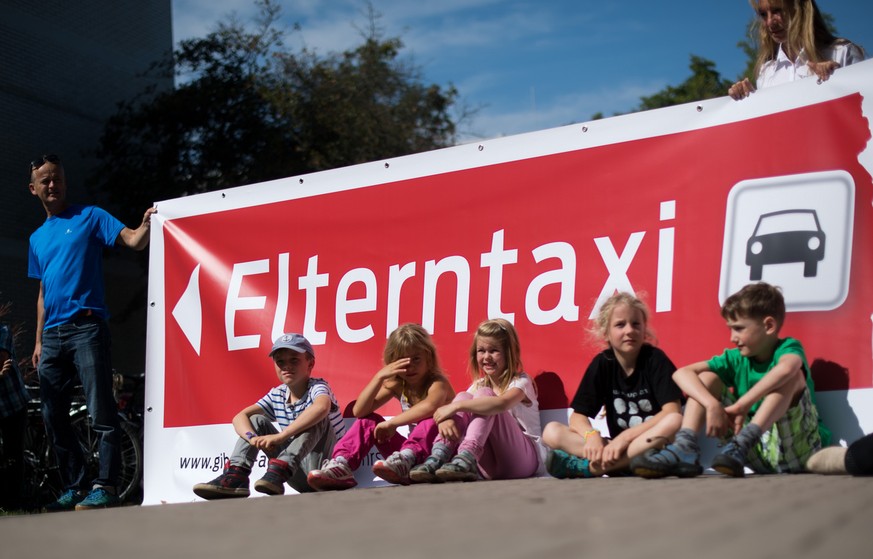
x=248 y=109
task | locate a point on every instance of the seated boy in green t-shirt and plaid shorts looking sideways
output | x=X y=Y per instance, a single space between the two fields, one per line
x=761 y=392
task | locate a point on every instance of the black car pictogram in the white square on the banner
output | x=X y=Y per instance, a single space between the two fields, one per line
x=783 y=237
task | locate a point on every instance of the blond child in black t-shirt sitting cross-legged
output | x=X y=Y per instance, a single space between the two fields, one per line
x=632 y=379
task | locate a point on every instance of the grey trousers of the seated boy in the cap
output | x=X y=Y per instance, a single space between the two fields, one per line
x=304 y=453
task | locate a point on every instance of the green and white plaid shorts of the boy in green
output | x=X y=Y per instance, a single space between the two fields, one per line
x=789 y=443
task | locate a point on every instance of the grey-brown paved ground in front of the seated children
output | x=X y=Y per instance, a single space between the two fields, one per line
x=711 y=516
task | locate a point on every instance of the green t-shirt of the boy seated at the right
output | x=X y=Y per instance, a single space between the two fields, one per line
x=741 y=373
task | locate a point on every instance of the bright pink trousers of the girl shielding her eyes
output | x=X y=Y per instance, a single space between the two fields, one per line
x=360 y=438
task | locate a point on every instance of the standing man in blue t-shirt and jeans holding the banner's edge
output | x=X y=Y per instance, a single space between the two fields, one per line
x=72 y=337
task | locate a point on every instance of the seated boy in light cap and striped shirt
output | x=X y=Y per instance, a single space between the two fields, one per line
x=309 y=419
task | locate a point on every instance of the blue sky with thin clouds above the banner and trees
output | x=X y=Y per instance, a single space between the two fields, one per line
x=534 y=64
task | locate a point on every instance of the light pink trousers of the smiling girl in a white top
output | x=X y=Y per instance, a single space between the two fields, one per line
x=501 y=448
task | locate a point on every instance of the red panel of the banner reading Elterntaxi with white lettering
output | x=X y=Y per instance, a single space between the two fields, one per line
x=539 y=240
